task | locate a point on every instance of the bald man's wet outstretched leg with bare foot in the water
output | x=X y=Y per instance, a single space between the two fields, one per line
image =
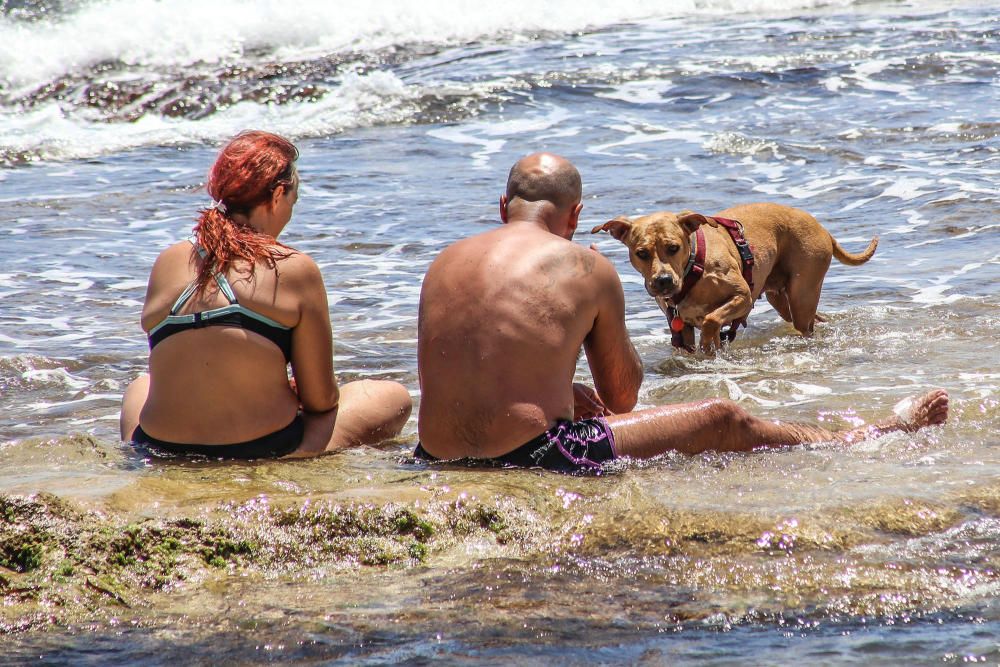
x=721 y=425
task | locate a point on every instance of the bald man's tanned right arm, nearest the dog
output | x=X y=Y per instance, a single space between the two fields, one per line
x=613 y=361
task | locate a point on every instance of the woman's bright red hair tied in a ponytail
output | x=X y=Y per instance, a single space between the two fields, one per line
x=245 y=175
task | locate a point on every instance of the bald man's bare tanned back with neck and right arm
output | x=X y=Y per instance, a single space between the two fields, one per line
x=503 y=316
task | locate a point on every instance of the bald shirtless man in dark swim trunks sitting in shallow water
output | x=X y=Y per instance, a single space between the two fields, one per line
x=503 y=317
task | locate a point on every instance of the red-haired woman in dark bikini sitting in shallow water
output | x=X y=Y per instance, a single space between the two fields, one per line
x=227 y=311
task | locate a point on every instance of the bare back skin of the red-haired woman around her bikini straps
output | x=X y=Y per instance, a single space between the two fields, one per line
x=229 y=382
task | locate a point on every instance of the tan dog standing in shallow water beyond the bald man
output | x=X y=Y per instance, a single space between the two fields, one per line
x=791 y=254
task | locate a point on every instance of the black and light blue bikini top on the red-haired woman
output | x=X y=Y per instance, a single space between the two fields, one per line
x=233 y=315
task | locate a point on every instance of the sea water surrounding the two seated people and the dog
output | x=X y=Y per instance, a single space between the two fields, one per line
x=878 y=118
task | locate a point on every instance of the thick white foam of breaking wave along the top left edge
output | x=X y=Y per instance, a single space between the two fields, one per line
x=183 y=32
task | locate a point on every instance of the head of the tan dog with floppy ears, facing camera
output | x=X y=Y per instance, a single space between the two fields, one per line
x=659 y=246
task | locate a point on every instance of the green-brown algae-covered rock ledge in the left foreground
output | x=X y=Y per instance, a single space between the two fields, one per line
x=59 y=563
